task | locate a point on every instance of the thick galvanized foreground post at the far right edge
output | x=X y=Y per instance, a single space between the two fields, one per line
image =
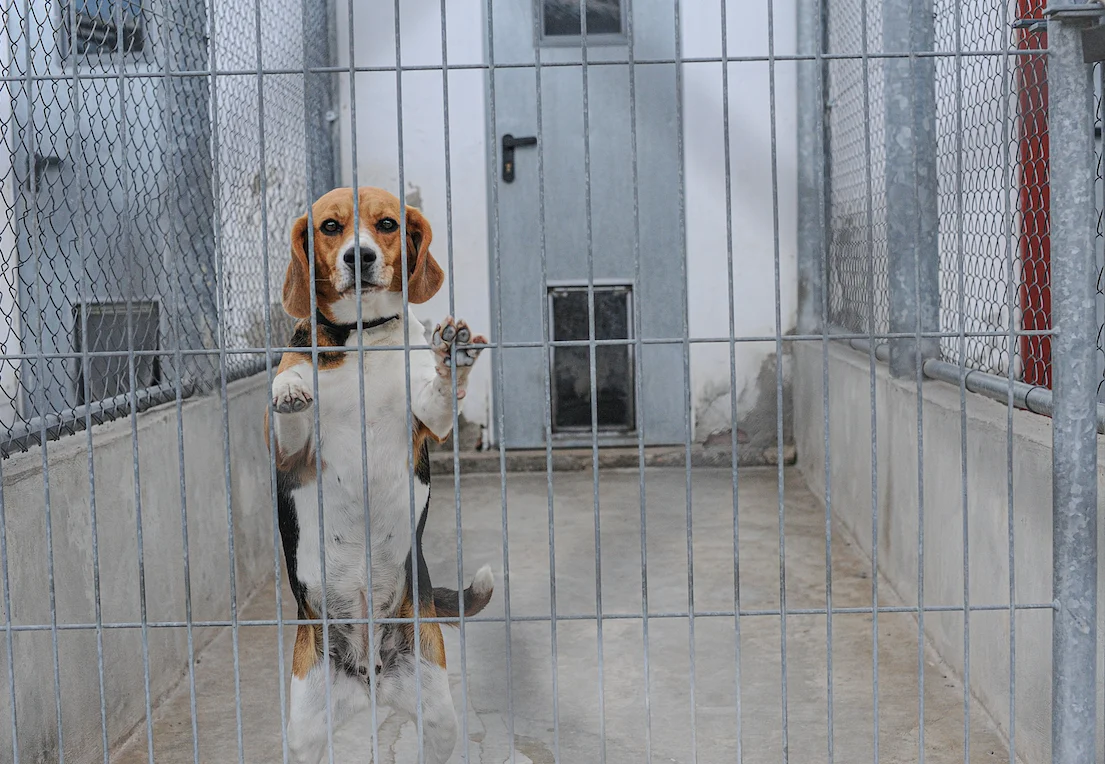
x=1075 y=435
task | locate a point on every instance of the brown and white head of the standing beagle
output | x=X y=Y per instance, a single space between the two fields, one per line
x=376 y=277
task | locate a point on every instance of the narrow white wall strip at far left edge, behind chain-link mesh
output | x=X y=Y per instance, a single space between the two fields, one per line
x=9 y=298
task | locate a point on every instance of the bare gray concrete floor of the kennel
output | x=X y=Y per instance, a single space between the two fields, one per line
x=513 y=714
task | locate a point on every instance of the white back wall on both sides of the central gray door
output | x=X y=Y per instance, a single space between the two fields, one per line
x=751 y=138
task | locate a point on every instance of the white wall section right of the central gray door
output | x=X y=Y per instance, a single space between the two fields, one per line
x=753 y=211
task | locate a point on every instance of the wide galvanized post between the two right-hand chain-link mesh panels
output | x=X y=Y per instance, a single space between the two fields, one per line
x=912 y=206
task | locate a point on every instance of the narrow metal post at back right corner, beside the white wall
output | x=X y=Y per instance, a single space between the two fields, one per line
x=812 y=158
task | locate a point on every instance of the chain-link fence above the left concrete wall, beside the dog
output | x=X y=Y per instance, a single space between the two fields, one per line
x=140 y=142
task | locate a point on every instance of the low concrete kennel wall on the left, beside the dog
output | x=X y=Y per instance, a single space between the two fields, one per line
x=114 y=451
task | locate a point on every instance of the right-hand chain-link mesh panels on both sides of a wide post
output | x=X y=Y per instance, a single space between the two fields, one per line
x=992 y=170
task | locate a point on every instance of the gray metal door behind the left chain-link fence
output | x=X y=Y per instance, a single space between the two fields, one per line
x=89 y=169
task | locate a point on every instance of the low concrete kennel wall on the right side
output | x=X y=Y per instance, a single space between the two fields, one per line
x=850 y=486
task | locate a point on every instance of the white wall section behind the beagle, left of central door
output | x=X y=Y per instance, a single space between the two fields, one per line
x=424 y=125
